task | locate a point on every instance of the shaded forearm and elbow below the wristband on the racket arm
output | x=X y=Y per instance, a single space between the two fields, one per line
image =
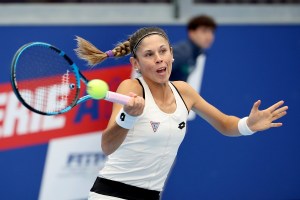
x=112 y=138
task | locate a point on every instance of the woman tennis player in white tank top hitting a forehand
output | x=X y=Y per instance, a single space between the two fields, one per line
x=143 y=136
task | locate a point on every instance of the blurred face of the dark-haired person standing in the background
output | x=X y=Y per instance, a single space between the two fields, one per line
x=202 y=36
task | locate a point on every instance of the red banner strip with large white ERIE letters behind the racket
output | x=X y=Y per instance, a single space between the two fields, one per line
x=20 y=127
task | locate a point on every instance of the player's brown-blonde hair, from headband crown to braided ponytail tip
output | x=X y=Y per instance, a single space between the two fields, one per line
x=90 y=53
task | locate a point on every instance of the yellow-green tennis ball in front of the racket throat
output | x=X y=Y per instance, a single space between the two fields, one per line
x=97 y=88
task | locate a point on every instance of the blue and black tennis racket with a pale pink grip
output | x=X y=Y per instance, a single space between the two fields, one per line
x=47 y=81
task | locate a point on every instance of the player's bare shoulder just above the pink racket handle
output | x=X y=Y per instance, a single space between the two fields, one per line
x=130 y=85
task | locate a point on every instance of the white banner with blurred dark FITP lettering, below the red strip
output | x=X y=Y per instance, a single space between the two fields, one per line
x=71 y=167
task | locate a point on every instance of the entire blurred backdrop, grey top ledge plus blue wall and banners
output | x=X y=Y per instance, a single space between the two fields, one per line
x=255 y=55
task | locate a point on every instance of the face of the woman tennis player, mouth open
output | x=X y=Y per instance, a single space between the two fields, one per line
x=154 y=59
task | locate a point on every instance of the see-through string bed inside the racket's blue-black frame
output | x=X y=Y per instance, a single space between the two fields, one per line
x=45 y=80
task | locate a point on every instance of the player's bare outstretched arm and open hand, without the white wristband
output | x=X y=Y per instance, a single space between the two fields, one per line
x=228 y=125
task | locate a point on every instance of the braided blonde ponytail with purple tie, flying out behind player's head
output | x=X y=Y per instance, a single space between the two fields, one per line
x=88 y=52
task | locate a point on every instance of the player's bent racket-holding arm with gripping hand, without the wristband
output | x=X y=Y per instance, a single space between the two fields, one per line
x=114 y=135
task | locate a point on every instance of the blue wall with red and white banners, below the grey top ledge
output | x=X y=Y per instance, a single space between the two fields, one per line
x=60 y=158
